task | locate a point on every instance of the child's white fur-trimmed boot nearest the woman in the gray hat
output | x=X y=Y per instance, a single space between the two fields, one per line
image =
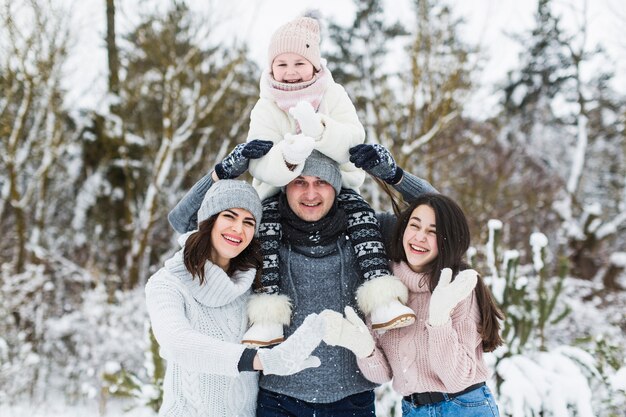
x=267 y=314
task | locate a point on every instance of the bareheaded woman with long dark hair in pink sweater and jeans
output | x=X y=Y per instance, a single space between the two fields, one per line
x=437 y=364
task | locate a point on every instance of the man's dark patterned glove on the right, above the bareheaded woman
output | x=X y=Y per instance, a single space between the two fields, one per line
x=376 y=160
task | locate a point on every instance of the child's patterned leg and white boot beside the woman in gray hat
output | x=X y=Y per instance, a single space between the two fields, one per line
x=268 y=311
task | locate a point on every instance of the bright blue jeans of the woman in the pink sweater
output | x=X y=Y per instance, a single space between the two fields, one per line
x=476 y=403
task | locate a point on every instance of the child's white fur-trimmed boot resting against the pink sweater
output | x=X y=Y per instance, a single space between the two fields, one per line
x=384 y=300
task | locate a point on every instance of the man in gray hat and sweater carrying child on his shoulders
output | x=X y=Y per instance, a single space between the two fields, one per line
x=315 y=274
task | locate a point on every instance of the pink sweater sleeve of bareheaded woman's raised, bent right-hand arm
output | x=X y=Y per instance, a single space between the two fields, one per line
x=455 y=348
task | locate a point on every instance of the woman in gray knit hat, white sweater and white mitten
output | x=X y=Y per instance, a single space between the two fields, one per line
x=197 y=307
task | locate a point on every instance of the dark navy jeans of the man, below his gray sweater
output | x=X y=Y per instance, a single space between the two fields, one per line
x=271 y=404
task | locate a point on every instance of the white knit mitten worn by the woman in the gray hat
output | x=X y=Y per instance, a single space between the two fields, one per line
x=294 y=354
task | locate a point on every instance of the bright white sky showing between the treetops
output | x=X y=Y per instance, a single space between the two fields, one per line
x=254 y=22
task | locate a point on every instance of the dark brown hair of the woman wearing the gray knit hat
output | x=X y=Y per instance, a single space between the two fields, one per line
x=198 y=248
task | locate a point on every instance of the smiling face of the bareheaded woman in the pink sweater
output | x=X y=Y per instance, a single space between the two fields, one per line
x=420 y=238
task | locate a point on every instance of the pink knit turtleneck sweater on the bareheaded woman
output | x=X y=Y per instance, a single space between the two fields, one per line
x=422 y=358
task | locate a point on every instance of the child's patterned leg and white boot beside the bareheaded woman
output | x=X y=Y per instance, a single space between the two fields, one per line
x=382 y=296
